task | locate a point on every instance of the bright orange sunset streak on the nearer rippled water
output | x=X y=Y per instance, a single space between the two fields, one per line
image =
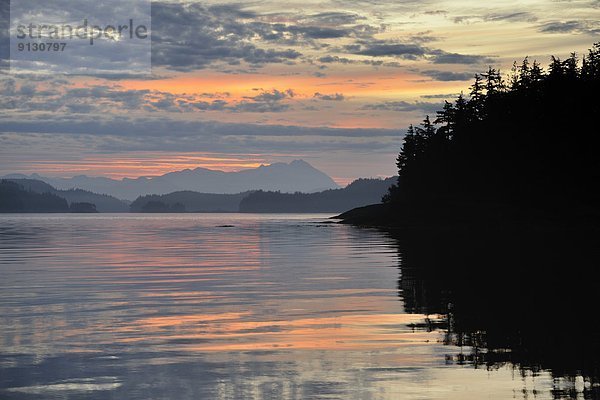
x=235 y=331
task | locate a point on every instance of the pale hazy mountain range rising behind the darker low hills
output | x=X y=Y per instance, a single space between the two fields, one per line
x=297 y=176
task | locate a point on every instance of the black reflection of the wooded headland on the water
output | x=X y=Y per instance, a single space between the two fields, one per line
x=528 y=301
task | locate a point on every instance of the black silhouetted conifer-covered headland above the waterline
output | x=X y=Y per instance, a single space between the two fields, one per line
x=526 y=141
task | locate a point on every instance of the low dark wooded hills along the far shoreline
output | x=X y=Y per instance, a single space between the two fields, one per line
x=30 y=195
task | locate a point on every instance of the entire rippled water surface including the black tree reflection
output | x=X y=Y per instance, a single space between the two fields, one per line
x=283 y=307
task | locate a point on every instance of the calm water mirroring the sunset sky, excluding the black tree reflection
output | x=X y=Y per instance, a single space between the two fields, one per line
x=226 y=307
